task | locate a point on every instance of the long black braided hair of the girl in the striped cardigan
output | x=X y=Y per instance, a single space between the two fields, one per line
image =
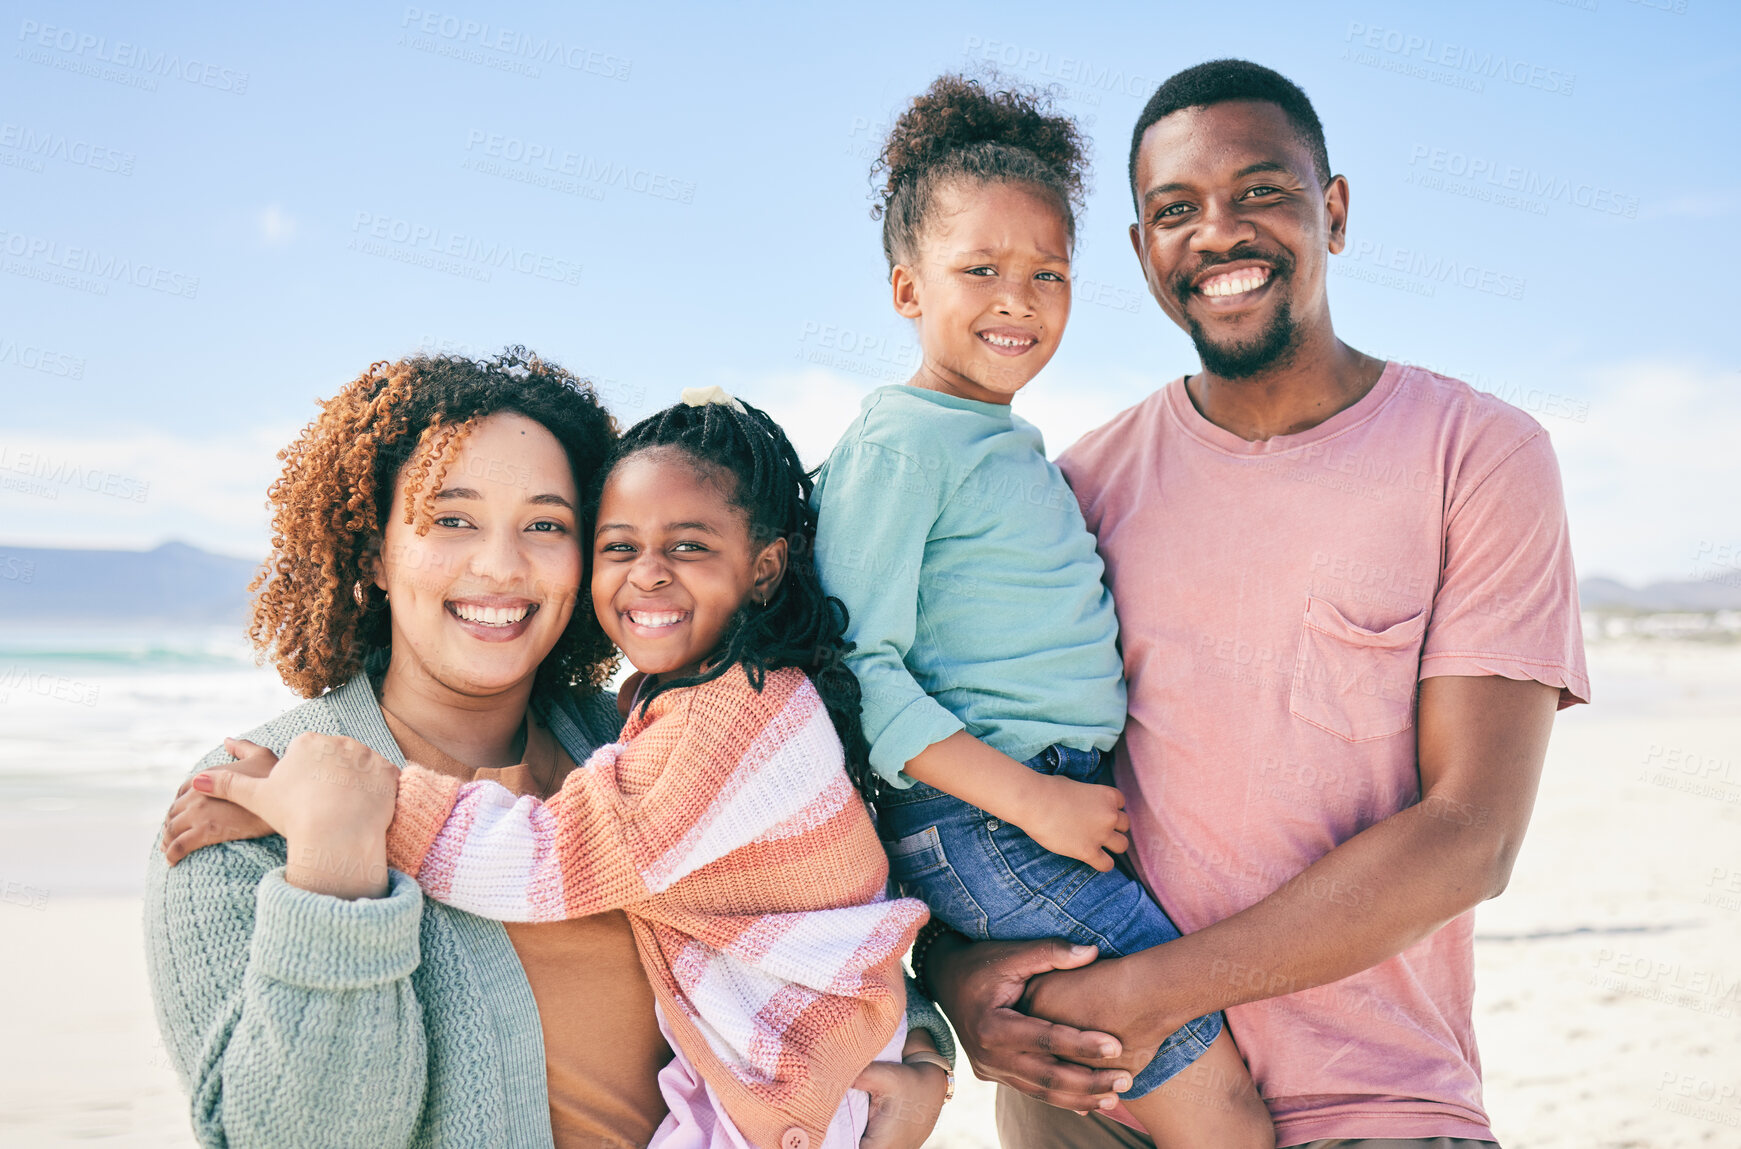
x=802 y=626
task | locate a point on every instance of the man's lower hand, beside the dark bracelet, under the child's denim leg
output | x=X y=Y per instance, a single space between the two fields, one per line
x=979 y=984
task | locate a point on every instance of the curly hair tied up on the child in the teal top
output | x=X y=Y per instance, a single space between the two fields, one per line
x=960 y=131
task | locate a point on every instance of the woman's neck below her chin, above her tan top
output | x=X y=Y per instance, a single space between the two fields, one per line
x=485 y=732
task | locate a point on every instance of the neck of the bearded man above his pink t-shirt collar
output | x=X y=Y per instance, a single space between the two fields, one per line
x=1319 y=380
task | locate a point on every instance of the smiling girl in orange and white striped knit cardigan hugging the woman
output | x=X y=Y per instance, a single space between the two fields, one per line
x=725 y=821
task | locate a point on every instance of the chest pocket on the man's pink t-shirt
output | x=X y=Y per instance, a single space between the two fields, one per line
x=1355 y=683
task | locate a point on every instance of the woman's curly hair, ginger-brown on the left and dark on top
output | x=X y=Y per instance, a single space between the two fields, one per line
x=318 y=612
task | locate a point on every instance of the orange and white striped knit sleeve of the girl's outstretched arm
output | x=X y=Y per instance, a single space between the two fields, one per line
x=711 y=772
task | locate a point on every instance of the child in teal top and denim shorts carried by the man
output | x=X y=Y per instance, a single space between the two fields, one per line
x=985 y=640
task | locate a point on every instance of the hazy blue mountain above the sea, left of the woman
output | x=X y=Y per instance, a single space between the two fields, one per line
x=171 y=584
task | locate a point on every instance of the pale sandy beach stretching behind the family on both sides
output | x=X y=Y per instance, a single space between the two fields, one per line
x=1610 y=1004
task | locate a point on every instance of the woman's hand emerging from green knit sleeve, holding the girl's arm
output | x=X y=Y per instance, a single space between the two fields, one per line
x=333 y=800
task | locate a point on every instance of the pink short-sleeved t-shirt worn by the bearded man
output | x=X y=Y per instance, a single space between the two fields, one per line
x=1279 y=603
